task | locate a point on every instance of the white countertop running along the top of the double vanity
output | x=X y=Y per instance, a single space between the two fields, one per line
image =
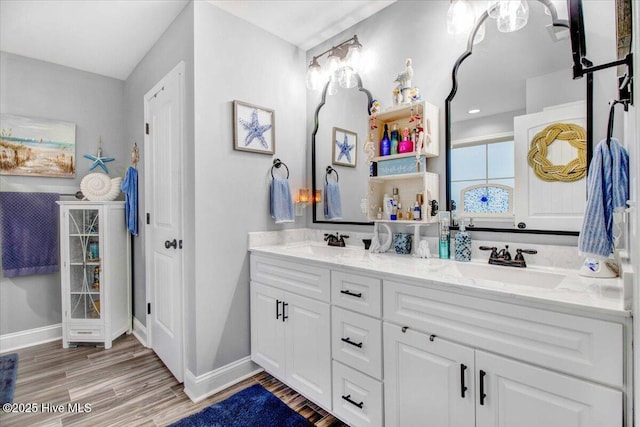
x=550 y=299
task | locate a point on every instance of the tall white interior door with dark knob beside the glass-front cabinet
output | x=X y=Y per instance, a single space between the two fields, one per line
x=163 y=184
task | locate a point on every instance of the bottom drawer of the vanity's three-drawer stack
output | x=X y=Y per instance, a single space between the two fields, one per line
x=357 y=398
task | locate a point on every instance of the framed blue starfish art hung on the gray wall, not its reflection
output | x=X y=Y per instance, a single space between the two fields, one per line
x=253 y=128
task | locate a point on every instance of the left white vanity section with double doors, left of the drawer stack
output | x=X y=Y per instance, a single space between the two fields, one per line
x=290 y=333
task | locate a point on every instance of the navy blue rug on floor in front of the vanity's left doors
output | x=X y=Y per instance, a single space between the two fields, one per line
x=252 y=407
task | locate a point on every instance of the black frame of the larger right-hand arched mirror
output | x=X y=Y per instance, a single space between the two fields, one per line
x=556 y=22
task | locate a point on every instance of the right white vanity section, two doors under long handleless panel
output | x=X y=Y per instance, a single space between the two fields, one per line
x=569 y=372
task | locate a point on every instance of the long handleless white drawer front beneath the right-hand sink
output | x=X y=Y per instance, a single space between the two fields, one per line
x=581 y=346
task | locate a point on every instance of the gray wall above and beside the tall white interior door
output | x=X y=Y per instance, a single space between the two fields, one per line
x=175 y=45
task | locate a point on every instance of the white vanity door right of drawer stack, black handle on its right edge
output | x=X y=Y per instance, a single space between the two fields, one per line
x=424 y=380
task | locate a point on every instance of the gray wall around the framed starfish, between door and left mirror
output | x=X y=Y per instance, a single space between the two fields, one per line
x=235 y=60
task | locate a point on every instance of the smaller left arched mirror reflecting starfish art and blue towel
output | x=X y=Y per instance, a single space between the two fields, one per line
x=341 y=128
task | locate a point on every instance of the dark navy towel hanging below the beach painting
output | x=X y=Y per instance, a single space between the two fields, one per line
x=29 y=233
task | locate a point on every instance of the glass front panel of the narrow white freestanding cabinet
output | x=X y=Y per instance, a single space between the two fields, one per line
x=84 y=265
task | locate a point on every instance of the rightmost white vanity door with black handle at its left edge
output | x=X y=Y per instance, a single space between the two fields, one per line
x=518 y=394
